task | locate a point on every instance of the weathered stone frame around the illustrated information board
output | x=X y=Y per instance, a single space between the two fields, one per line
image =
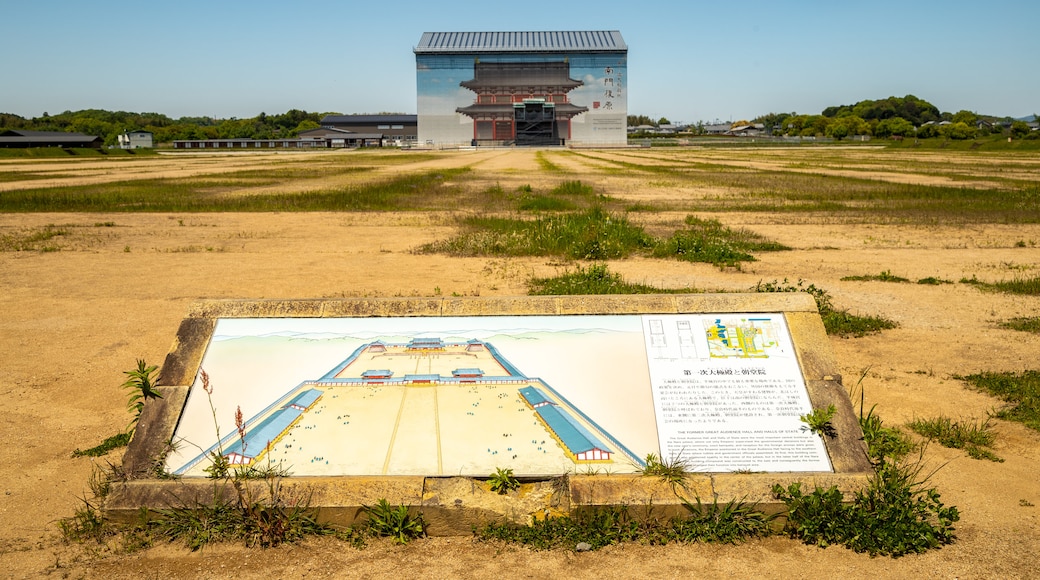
x=453 y=506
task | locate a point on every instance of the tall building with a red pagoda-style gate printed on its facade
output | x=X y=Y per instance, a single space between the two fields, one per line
x=523 y=89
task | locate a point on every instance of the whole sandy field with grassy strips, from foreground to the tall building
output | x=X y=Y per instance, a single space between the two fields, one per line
x=101 y=278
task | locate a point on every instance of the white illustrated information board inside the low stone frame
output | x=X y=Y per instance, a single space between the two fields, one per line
x=464 y=396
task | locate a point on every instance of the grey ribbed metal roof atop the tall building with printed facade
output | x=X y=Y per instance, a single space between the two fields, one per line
x=575 y=41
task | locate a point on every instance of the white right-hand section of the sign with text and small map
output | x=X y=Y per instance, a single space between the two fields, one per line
x=729 y=393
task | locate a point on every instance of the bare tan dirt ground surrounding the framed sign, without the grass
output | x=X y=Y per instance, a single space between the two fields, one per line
x=73 y=321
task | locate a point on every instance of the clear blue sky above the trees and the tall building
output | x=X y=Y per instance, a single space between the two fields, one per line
x=688 y=61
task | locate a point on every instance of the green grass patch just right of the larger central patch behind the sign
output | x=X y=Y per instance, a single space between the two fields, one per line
x=710 y=242
